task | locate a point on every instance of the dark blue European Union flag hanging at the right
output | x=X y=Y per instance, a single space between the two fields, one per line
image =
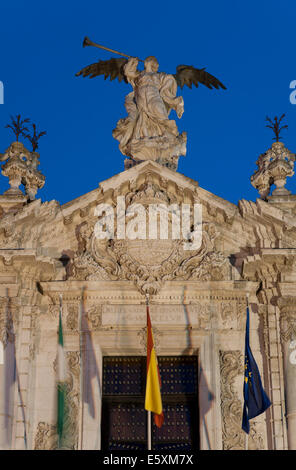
x=255 y=399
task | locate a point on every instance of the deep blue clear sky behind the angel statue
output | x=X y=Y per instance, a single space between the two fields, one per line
x=249 y=46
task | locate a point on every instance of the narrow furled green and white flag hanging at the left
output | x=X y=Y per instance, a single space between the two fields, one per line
x=61 y=382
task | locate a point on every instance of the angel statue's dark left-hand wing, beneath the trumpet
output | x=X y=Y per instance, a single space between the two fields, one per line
x=112 y=68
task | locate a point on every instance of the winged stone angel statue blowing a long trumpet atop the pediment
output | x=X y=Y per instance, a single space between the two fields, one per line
x=147 y=133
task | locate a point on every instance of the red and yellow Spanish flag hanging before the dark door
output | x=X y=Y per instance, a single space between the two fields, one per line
x=153 y=397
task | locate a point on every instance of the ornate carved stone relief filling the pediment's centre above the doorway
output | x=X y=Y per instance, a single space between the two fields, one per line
x=148 y=262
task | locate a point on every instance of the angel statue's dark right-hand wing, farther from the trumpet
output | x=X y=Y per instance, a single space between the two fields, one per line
x=186 y=75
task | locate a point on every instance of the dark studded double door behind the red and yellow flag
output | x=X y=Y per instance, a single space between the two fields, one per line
x=124 y=419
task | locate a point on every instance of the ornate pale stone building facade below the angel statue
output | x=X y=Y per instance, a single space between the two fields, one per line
x=197 y=301
